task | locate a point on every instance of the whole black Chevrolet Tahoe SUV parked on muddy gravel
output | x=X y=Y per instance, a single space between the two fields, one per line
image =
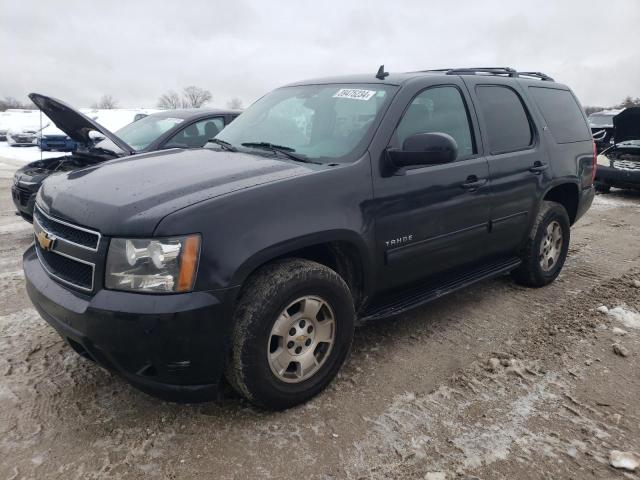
x=326 y=203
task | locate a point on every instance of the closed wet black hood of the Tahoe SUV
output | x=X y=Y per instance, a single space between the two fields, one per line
x=129 y=196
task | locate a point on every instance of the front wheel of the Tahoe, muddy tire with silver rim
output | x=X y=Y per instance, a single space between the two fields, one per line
x=259 y=354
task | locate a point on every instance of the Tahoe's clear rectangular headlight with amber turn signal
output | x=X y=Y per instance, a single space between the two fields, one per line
x=153 y=265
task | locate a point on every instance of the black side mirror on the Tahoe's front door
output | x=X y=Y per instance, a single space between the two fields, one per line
x=424 y=149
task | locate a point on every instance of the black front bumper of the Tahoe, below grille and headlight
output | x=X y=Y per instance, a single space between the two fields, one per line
x=171 y=346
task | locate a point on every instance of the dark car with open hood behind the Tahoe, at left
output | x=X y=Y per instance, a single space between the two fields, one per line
x=188 y=128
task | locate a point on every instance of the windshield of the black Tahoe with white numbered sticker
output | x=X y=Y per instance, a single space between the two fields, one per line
x=321 y=122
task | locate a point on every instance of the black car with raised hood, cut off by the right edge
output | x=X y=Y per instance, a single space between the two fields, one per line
x=619 y=164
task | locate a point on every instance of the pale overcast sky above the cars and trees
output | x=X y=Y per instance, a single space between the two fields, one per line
x=136 y=50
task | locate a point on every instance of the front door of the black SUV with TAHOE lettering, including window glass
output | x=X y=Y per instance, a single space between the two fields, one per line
x=432 y=218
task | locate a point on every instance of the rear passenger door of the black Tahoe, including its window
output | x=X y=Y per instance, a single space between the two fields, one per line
x=518 y=164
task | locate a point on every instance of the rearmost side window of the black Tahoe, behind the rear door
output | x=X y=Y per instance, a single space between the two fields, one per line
x=562 y=114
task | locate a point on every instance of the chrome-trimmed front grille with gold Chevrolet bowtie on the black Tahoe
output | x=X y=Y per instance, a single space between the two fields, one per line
x=67 y=252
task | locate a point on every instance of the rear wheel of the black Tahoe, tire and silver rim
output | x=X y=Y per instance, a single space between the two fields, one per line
x=538 y=267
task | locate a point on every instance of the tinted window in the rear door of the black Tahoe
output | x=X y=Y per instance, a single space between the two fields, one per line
x=506 y=120
